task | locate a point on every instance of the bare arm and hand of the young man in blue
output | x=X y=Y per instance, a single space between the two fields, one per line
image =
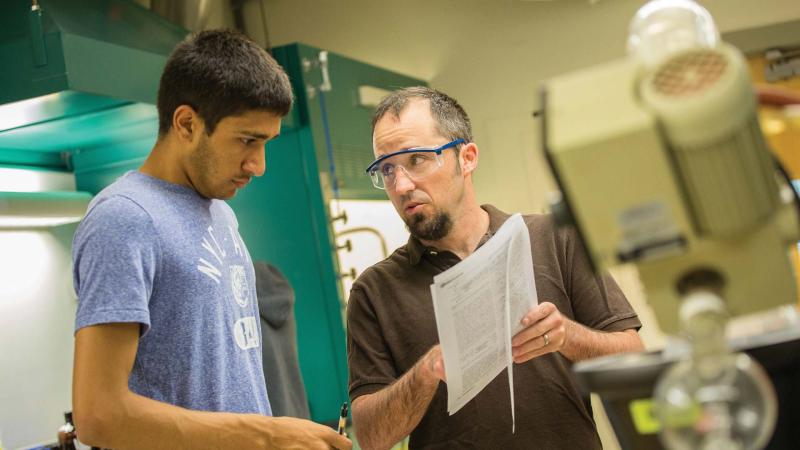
x=107 y=414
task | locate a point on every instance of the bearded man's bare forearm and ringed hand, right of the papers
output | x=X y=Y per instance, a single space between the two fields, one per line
x=573 y=340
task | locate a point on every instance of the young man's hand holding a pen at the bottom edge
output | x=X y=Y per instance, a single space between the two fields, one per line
x=290 y=434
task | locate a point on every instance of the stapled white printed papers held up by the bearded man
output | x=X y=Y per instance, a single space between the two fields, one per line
x=479 y=304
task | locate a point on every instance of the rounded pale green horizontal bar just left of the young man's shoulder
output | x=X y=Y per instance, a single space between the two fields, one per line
x=24 y=210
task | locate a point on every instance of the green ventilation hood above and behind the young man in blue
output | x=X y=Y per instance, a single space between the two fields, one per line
x=78 y=74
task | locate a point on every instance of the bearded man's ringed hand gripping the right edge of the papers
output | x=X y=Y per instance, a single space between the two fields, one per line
x=545 y=332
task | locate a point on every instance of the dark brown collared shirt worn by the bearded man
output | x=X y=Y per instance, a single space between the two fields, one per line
x=391 y=324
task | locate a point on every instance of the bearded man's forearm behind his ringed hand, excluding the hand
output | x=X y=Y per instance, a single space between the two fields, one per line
x=584 y=343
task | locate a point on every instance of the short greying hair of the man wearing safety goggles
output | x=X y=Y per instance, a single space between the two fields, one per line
x=452 y=122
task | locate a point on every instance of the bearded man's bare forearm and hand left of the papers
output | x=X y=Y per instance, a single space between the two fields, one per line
x=383 y=418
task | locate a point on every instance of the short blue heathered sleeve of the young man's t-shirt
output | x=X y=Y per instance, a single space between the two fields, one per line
x=115 y=253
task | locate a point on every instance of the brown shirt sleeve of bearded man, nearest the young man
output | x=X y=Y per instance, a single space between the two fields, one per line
x=369 y=360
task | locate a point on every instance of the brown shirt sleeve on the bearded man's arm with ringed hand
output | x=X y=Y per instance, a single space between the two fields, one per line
x=597 y=301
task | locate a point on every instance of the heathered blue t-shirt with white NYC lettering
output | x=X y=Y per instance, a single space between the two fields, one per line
x=159 y=254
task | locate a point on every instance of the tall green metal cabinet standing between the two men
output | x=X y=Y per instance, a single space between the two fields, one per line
x=284 y=216
